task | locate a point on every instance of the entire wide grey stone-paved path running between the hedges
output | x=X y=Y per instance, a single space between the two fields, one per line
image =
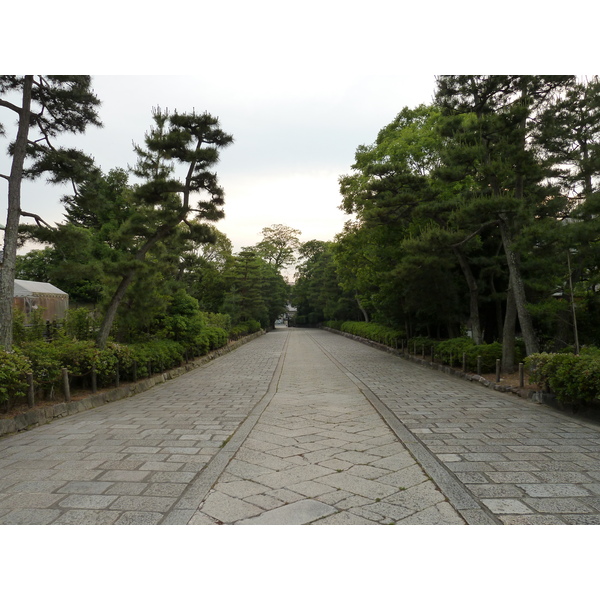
x=305 y=426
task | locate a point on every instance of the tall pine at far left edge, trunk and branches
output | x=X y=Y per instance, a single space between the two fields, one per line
x=47 y=107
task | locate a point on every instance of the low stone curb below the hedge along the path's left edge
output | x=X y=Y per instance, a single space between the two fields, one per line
x=40 y=416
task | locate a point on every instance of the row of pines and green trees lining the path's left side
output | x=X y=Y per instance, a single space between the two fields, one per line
x=130 y=251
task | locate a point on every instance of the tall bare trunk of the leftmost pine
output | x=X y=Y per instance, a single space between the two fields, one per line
x=7 y=272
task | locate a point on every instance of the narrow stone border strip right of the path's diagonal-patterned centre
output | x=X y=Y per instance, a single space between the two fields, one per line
x=471 y=510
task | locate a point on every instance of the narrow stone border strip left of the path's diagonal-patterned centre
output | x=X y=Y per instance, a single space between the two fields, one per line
x=195 y=494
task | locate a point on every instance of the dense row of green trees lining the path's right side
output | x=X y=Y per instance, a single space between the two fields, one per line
x=476 y=212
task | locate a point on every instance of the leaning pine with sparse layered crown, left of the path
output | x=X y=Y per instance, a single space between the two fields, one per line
x=189 y=140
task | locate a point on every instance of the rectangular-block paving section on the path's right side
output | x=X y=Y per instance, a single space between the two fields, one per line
x=525 y=463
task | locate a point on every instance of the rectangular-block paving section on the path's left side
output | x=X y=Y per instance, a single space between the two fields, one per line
x=129 y=462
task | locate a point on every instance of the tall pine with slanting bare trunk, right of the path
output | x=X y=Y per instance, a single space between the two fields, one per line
x=491 y=128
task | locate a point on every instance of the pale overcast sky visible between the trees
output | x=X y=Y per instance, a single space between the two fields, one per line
x=294 y=135
